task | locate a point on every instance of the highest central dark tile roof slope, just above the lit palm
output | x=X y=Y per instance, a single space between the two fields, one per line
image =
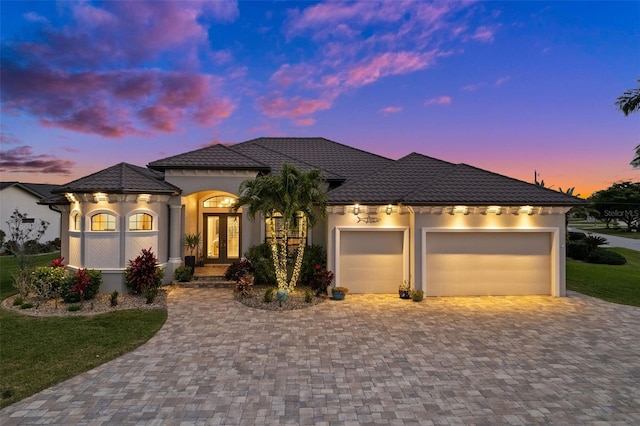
x=324 y=154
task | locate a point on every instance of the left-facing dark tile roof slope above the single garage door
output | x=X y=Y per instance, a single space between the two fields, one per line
x=394 y=182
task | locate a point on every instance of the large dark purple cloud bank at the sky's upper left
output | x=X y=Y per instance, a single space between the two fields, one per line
x=84 y=76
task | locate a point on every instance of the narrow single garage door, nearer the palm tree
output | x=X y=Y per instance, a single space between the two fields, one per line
x=371 y=261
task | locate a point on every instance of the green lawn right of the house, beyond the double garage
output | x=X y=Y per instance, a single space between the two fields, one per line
x=617 y=284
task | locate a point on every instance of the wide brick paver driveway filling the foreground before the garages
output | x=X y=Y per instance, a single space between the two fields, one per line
x=368 y=359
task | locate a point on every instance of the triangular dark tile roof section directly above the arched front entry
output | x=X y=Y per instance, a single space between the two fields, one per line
x=215 y=157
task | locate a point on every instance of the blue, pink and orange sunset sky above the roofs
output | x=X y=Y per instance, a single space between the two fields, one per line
x=511 y=87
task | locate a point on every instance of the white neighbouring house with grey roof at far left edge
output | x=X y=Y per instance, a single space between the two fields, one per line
x=25 y=198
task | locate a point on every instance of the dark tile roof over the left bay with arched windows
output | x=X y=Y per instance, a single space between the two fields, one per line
x=122 y=178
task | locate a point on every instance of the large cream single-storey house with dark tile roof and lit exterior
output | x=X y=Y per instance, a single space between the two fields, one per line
x=452 y=229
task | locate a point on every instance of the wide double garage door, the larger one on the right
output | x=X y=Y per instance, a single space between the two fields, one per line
x=488 y=263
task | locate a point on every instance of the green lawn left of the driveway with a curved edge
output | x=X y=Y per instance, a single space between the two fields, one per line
x=37 y=353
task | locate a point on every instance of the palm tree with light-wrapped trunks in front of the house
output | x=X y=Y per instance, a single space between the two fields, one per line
x=297 y=198
